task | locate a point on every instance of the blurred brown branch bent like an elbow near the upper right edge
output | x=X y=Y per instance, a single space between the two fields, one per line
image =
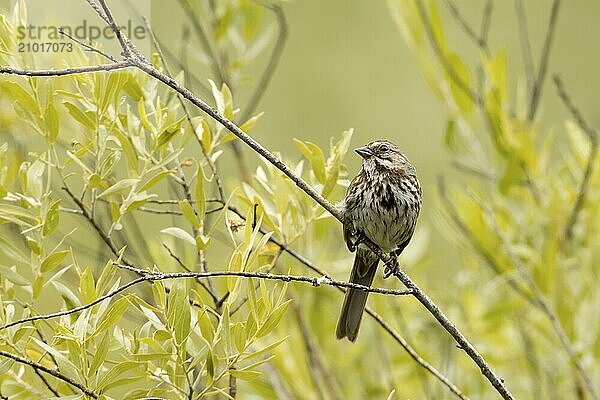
x=592 y=135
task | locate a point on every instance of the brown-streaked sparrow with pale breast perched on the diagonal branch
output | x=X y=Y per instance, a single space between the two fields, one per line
x=382 y=203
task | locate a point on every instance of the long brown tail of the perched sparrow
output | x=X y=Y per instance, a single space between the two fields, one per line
x=363 y=272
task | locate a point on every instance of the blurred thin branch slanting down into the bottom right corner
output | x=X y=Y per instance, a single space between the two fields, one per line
x=543 y=304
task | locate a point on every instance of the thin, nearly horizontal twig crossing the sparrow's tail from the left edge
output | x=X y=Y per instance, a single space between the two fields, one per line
x=150 y=277
